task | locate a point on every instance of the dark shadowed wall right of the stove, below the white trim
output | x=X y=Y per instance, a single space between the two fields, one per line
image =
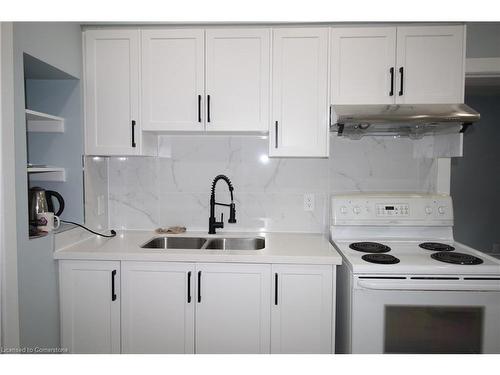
x=475 y=178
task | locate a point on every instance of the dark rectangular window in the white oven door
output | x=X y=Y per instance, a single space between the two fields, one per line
x=433 y=329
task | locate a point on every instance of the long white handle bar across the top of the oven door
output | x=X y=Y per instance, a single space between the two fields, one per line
x=445 y=285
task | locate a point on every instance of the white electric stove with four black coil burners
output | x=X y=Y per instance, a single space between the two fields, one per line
x=405 y=285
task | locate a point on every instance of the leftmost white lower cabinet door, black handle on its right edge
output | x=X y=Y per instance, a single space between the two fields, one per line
x=90 y=306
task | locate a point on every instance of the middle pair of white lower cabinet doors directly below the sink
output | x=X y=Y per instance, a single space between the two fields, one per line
x=159 y=300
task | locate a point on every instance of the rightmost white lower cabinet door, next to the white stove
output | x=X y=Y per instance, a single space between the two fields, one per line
x=301 y=317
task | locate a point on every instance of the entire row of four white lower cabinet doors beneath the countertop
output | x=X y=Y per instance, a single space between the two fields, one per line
x=169 y=307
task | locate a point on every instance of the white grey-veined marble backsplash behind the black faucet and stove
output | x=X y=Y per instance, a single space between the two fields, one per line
x=174 y=188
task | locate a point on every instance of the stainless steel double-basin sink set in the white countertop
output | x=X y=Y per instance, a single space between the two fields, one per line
x=219 y=243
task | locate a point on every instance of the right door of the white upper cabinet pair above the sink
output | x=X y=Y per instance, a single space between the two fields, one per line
x=237 y=79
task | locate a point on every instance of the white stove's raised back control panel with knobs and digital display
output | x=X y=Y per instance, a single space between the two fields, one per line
x=388 y=209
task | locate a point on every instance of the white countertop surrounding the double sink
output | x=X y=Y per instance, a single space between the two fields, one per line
x=300 y=248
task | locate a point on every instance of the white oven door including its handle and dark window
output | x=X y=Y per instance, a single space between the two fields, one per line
x=429 y=315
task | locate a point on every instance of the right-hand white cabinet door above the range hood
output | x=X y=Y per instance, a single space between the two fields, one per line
x=430 y=63
